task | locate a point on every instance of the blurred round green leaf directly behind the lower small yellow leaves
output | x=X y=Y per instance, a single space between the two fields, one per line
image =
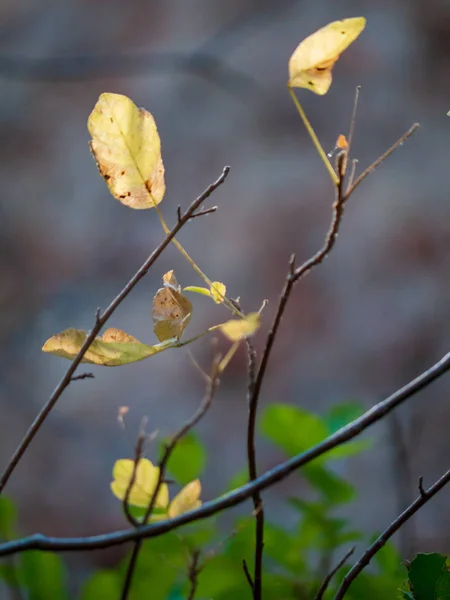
x=187 y=461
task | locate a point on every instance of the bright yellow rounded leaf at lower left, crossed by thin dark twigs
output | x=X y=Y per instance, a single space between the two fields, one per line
x=144 y=485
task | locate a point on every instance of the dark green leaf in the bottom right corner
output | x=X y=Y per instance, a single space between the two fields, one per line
x=429 y=577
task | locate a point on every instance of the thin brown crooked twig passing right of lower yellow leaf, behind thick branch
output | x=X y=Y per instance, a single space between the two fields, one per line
x=201 y=410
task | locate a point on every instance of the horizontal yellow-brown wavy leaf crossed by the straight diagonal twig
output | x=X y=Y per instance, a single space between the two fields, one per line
x=113 y=349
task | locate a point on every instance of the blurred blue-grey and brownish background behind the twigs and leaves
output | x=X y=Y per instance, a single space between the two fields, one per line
x=371 y=318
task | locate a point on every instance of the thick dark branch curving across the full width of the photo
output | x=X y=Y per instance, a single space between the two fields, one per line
x=243 y=493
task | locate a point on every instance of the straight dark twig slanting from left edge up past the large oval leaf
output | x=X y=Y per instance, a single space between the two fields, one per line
x=101 y=319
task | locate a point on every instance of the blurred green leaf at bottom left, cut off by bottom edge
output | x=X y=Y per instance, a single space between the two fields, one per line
x=43 y=575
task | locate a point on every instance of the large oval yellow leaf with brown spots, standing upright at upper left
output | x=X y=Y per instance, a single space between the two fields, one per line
x=126 y=146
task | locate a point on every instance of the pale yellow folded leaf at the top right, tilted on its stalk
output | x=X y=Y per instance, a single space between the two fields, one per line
x=312 y=61
